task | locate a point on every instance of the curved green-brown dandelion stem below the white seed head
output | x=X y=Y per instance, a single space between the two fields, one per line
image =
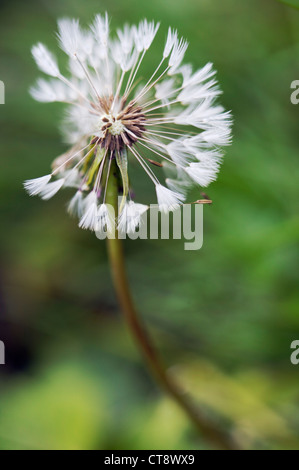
x=208 y=430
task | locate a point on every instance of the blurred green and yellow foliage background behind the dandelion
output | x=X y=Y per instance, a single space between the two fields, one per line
x=224 y=316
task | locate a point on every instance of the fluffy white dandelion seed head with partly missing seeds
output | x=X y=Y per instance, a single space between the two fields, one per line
x=170 y=123
